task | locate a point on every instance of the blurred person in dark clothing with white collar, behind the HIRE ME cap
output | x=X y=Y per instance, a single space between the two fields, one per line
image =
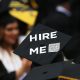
x=60 y=18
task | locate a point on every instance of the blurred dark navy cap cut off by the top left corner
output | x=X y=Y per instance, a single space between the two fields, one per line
x=4 y=5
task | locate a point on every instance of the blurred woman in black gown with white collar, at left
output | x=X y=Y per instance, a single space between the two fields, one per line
x=12 y=67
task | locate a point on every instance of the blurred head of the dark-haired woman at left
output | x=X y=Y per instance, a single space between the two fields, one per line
x=9 y=29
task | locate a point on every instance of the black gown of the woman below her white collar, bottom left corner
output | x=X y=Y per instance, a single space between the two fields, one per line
x=4 y=75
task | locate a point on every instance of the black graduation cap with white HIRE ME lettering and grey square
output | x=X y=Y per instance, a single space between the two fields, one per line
x=42 y=45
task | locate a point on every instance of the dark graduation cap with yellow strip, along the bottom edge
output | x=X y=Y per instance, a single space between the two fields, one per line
x=61 y=71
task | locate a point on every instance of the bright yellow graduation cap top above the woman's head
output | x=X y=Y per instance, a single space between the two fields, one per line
x=27 y=16
